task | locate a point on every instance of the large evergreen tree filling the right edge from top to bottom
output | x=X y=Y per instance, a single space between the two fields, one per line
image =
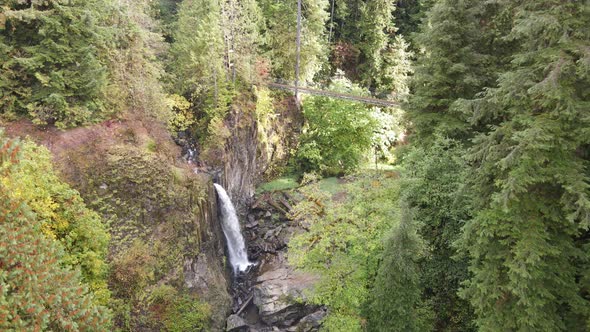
x=528 y=242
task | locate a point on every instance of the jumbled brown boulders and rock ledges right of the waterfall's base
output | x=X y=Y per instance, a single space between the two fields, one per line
x=273 y=296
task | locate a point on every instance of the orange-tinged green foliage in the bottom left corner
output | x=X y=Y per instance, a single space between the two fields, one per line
x=36 y=291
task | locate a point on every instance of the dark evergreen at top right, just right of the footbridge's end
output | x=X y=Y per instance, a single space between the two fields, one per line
x=457 y=63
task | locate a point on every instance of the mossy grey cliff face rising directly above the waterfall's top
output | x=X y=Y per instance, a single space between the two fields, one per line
x=256 y=148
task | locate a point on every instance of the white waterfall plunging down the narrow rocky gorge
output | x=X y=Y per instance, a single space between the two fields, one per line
x=238 y=257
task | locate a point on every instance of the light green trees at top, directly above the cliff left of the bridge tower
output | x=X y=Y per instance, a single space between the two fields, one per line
x=214 y=51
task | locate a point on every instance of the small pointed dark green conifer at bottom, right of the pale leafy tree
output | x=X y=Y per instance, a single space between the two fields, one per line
x=397 y=303
